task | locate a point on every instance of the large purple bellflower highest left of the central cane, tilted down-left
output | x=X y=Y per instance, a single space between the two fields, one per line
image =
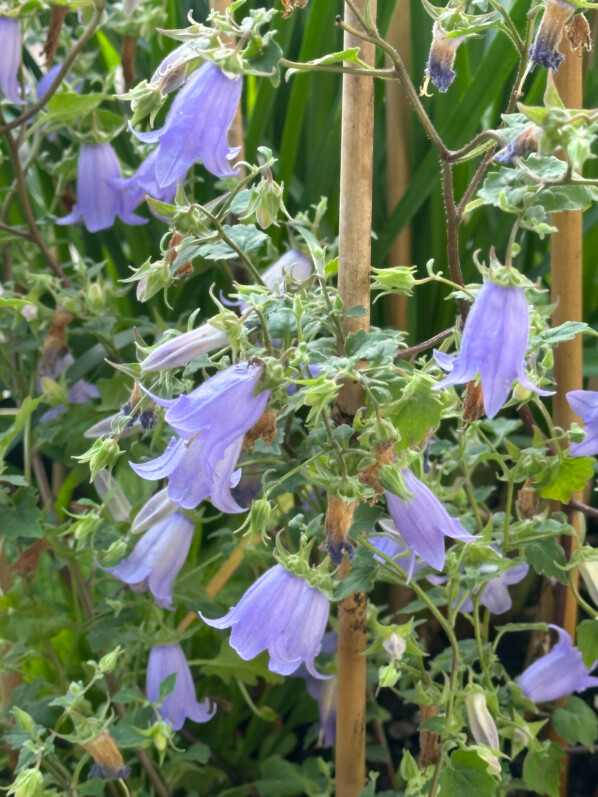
x=196 y=127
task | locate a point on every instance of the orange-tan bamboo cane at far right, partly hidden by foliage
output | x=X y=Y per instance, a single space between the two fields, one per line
x=566 y=274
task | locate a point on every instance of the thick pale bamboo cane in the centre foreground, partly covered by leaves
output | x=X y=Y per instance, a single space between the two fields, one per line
x=354 y=286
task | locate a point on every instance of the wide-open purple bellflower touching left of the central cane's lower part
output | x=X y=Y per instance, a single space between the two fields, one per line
x=282 y=614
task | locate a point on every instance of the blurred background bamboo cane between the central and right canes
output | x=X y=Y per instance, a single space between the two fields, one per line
x=397 y=150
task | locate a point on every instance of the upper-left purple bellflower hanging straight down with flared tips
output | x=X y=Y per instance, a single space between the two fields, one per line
x=99 y=201
